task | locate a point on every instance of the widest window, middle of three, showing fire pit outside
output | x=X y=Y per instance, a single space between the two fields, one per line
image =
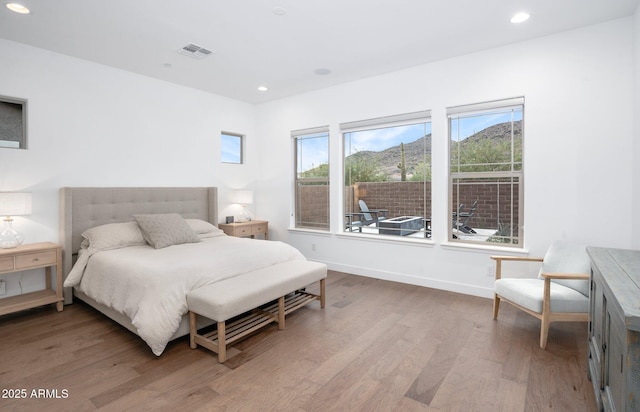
x=387 y=176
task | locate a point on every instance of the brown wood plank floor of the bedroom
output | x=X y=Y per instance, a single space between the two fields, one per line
x=377 y=346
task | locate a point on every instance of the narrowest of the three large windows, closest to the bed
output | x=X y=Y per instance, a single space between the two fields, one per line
x=311 y=149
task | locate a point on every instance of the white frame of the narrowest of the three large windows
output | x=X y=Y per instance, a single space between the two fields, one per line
x=299 y=182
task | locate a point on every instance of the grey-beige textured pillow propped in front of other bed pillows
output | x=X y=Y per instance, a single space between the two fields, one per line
x=162 y=230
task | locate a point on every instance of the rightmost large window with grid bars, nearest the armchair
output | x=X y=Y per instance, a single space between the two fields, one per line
x=486 y=172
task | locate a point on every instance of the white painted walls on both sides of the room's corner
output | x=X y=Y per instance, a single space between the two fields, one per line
x=91 y=125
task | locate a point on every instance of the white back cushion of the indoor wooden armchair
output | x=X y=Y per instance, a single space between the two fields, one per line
x=565 y=257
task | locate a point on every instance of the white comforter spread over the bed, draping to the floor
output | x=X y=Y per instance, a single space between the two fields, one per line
x=150 y=285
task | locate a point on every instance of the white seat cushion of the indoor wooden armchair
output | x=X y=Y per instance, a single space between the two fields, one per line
x=528 y=293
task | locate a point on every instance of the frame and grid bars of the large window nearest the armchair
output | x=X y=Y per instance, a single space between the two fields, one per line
x=512 y=177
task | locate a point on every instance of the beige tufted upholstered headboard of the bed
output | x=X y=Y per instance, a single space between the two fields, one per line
x=84 y=207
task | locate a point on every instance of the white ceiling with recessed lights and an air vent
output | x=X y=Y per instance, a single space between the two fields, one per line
x=282 y=43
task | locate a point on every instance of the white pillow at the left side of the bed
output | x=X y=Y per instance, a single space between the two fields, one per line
x=112 y=236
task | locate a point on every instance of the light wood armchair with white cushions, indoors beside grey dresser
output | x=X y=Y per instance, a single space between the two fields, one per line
x=559 y=294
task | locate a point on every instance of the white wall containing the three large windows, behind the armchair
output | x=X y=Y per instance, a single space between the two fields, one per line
x=578 y=150
